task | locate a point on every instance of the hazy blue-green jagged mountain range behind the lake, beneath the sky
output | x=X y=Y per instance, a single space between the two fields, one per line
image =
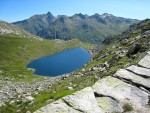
x=86 y=28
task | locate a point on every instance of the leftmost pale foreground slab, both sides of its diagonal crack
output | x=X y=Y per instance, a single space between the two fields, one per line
x=81 y=101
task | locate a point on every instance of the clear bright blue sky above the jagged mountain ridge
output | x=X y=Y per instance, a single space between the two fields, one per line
x=15 y=10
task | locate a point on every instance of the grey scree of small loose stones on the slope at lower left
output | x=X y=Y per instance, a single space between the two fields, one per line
x=23 y=91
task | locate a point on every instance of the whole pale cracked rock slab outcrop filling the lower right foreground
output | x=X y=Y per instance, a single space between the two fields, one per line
x=127 y=90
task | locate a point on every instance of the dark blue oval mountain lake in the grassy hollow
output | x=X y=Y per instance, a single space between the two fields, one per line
x=60 y=63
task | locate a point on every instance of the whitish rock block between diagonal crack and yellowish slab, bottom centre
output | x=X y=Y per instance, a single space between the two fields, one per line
x=84 y=101
